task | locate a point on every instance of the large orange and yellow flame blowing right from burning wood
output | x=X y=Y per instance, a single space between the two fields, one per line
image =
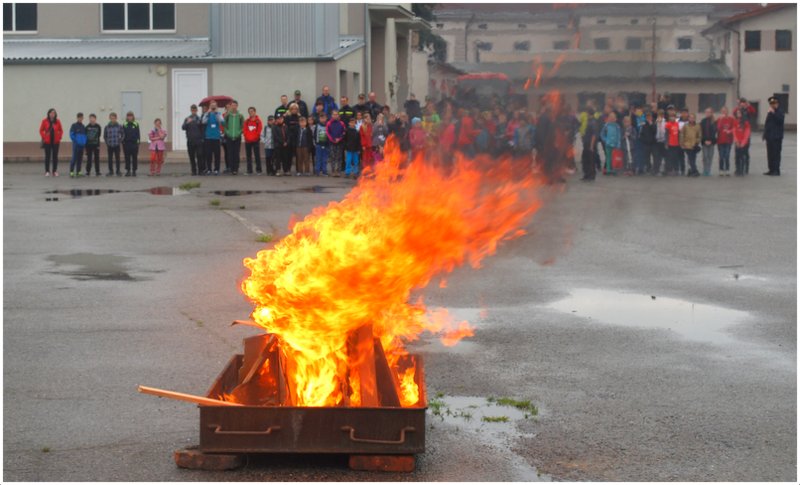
x=356 y=263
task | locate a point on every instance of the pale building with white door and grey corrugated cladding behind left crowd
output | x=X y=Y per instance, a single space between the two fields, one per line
x=156 y=59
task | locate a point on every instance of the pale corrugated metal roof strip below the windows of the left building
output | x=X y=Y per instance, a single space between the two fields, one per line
x=44 y=50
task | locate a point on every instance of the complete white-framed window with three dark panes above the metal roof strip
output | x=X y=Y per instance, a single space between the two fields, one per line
x=124 y=17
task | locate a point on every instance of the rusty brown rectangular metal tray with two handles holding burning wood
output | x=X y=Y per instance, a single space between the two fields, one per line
x=380 y=430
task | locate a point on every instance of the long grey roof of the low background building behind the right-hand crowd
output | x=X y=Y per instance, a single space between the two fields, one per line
x=585 y=70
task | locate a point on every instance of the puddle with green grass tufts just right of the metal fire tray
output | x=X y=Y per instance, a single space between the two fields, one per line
x=470 y=414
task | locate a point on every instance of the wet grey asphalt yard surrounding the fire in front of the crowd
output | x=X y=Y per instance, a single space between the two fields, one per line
x=650 y=322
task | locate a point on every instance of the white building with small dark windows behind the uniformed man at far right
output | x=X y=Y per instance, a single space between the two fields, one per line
x=760 y=47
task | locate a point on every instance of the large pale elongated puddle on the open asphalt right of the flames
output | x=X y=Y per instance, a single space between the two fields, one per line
x=694 y=321
